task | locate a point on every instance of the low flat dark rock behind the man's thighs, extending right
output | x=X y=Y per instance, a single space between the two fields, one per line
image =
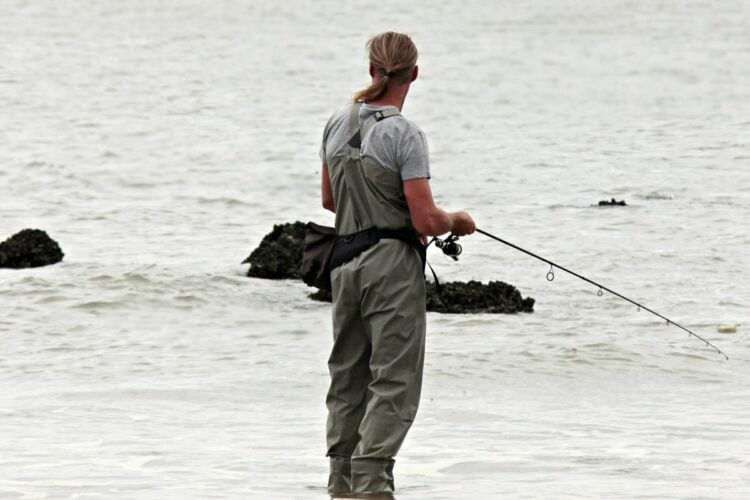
x=472 y=297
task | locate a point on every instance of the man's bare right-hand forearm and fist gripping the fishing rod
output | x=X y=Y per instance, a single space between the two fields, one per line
x=428 y=218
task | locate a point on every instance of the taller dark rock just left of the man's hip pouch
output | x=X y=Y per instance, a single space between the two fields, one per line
x=280 y=252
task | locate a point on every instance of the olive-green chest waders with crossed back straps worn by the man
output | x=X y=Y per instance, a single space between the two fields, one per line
x=378 y=324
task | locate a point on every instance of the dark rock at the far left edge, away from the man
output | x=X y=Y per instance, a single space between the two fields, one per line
x=29 y=248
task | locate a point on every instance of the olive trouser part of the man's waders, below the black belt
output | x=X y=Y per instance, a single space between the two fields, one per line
x=376 y=365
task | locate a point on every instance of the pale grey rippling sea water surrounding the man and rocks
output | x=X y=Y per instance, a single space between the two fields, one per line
x=158 y=143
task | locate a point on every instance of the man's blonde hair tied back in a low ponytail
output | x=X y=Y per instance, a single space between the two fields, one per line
x=393 y=55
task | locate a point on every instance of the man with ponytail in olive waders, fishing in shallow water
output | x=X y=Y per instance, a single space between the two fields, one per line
x=375 y=178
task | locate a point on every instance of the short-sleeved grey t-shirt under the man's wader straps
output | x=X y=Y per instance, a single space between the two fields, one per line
x=395 y=143
